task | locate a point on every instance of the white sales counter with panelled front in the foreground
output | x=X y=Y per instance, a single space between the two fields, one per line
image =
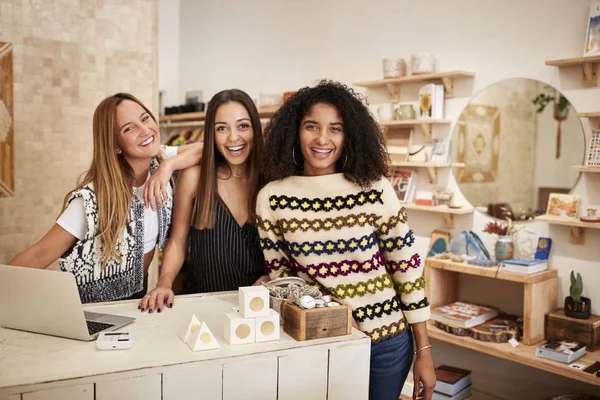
x=161 y=366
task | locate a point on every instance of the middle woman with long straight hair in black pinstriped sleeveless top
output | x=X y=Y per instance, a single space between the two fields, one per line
x=214 y=207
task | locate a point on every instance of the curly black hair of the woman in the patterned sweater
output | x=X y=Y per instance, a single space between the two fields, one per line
x=364 y=145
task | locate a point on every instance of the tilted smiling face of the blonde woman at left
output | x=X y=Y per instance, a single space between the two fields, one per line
x=137 y=136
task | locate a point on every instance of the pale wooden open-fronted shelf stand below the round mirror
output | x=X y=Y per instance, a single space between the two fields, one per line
x=540 y=291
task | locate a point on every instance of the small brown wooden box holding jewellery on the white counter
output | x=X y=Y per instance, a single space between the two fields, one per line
x=315 y=323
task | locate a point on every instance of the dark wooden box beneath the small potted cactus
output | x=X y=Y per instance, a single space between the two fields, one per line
x=586 y=331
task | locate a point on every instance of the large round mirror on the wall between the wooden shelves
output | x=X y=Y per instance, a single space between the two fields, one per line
x=514 y=144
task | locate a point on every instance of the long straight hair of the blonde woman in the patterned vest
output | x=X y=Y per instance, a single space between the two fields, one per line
x=111 y=176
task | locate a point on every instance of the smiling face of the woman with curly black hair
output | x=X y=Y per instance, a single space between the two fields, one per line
x=321 y=139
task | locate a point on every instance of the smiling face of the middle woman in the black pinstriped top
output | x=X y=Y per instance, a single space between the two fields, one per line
x=233 y=133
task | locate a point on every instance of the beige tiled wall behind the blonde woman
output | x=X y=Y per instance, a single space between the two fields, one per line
x=68 y=56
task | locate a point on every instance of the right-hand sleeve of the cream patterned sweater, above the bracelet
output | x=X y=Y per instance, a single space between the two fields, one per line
x=396 y=241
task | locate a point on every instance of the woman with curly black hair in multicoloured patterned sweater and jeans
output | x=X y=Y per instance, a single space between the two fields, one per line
x=330 y=216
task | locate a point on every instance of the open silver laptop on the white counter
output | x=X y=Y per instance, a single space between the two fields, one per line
x=48 y=302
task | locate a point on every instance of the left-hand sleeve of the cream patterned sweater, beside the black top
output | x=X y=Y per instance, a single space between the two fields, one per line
x=277 y=262
